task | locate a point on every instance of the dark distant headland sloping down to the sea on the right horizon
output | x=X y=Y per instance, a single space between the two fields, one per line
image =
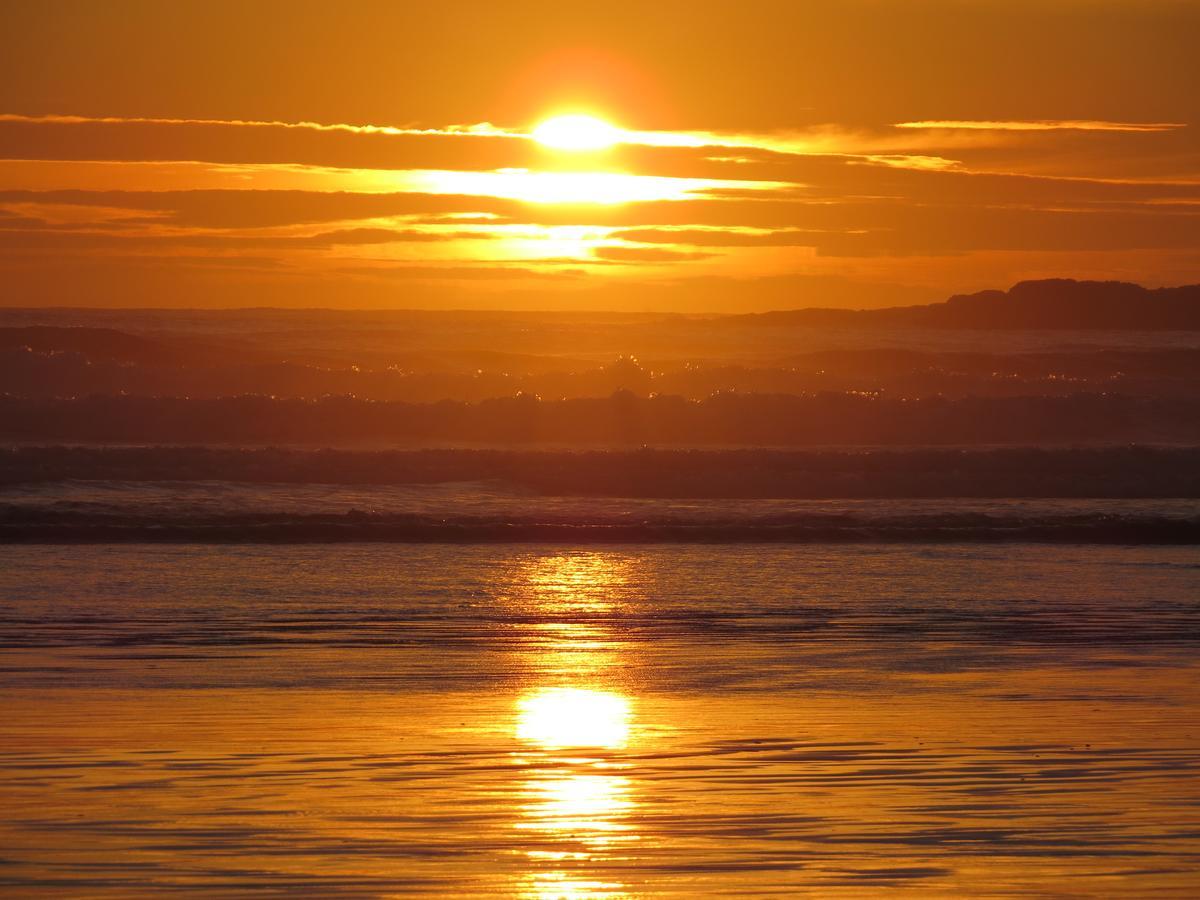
x=1049 y=304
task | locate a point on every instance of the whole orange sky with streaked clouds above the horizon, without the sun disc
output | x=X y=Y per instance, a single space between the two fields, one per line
x=767 y=154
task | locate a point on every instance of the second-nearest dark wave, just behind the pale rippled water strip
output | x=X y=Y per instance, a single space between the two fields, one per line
x=1115 y=471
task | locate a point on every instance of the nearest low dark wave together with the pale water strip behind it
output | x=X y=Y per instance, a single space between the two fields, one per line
x=490 y=512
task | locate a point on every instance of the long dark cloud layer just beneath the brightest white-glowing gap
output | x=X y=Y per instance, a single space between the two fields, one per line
x=941 y=218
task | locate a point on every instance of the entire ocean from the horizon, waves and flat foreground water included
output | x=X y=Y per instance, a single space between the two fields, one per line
x=596 y=608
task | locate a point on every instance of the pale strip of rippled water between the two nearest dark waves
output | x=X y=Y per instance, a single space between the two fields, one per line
x=164 y=502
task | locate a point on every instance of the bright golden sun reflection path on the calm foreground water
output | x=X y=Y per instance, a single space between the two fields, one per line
x=577 y=800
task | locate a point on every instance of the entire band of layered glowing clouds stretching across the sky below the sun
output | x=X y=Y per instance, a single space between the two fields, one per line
x=310 y=194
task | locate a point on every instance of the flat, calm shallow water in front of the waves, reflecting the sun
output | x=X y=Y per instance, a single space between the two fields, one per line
x=547 y=722
